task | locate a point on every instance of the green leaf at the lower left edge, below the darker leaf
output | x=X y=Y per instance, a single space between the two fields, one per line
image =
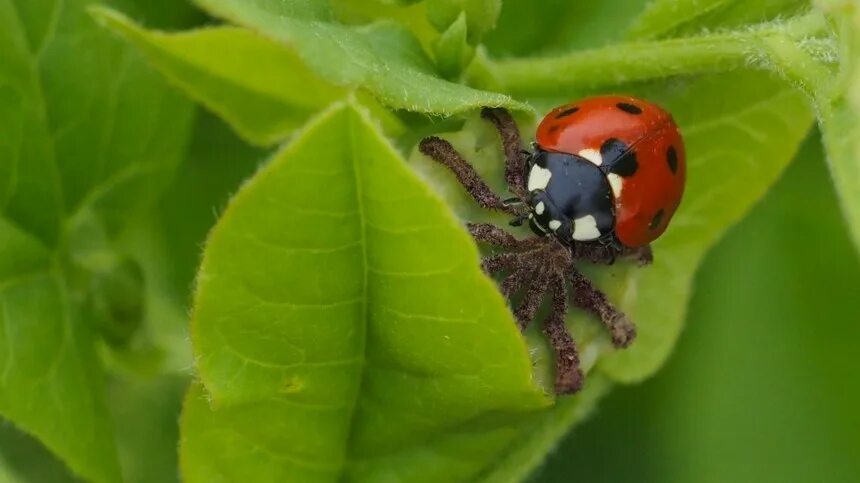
x=50 y=381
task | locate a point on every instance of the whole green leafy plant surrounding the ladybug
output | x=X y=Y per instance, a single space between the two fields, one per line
x=341 y=327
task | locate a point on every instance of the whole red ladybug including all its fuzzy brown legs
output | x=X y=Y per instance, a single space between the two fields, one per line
x=602 y=181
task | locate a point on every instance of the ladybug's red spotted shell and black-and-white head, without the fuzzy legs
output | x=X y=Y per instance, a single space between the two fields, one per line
x=607 y=168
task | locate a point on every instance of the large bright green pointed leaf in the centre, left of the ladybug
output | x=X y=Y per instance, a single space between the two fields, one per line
x=393 y=360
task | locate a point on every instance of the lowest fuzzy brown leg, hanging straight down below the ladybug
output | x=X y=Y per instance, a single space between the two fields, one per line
x=568 y=375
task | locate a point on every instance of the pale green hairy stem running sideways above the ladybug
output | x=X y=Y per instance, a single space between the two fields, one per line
x=771 y=46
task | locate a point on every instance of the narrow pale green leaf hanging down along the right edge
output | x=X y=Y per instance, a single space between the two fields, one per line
x=840 y=115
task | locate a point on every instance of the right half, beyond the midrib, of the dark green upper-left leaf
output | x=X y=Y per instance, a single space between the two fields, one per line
x=117 y=131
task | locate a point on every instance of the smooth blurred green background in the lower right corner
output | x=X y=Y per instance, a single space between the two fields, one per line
x=764 y=384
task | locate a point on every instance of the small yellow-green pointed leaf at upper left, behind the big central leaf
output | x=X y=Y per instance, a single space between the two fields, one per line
x=263 y=104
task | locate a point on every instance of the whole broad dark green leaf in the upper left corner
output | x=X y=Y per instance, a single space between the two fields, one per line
x=65 y=91
